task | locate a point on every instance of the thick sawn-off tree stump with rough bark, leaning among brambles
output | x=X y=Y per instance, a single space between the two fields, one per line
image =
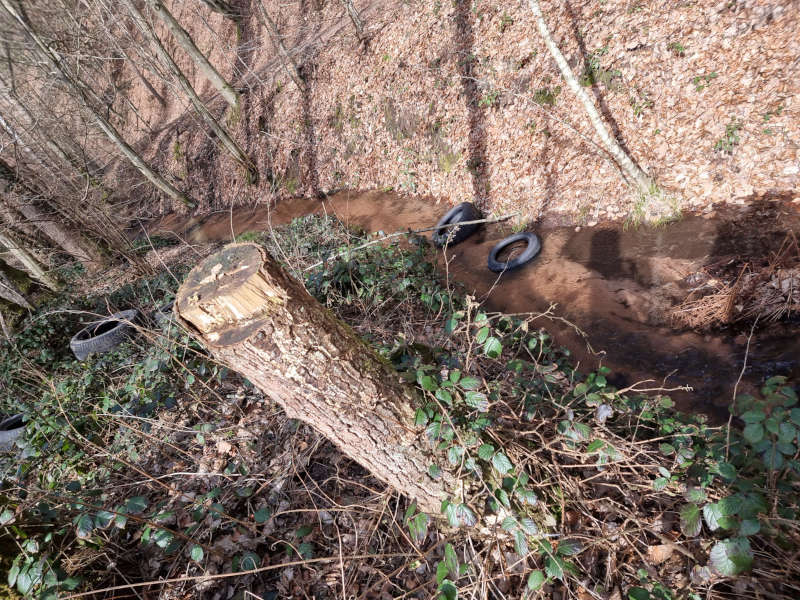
x=262 y=323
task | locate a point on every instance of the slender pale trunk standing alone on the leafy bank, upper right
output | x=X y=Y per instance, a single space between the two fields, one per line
x=632 y=172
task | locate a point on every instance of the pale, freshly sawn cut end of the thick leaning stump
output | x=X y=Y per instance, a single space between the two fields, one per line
x=229 y=295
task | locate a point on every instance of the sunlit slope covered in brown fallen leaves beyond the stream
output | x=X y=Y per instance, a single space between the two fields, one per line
x=461 y=101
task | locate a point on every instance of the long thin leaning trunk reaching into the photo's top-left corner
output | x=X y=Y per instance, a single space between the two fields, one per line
x=55 y=59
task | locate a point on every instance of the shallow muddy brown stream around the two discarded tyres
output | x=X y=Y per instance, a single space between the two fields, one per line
x=611 y=283
